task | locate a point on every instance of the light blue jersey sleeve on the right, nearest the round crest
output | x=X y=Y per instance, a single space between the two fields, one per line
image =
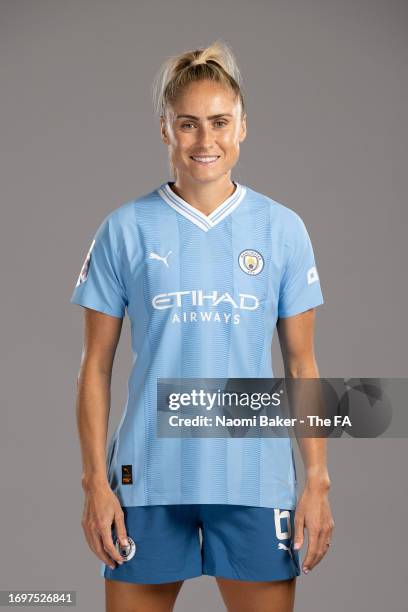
x=300 y=283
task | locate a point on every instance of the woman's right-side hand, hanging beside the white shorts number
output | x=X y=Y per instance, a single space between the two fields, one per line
x=313 y=512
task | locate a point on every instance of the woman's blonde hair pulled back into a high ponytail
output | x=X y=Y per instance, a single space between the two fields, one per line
x=215 y=63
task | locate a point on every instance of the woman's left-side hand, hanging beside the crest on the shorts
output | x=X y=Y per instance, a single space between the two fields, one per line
x=102 y=508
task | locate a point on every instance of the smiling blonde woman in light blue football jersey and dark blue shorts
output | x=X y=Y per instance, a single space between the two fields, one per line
x=206 y=267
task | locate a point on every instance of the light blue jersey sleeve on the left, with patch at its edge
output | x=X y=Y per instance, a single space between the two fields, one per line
x=100 y=283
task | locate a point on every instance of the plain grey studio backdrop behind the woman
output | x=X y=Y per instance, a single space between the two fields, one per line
x=325 y=83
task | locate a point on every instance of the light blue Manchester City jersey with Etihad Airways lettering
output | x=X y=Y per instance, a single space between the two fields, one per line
x=203 y=294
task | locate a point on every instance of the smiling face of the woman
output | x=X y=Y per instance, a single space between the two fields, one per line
x=204 y=121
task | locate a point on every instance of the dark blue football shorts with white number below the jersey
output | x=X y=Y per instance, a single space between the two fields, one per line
x=238 y=542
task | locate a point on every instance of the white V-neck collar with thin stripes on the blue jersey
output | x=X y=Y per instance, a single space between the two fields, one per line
x=204 y=222
